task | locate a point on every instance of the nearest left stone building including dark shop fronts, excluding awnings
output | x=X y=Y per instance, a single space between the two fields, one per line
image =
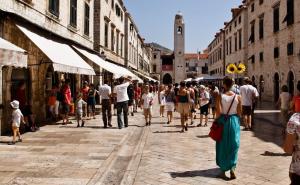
x=51 y=20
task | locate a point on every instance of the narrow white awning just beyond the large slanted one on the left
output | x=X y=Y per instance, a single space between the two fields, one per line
x=118 y=71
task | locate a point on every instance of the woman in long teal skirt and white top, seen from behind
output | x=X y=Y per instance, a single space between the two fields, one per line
x=228 y=110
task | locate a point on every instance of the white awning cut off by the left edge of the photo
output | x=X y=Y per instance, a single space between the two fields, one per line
x=12 y=55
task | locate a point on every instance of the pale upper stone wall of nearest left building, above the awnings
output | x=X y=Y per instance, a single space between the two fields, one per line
x=37 y=13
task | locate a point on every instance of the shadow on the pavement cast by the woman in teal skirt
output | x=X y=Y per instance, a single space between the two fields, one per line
x=212 y=173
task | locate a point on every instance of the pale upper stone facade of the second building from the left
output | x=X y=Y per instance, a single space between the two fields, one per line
x=109 y=31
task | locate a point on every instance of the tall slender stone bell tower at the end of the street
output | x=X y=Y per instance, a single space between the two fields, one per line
x=179 y=49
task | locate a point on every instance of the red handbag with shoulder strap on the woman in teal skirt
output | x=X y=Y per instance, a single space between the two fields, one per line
x=216 y=129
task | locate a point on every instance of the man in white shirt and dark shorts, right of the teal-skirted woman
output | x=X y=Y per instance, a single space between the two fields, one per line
x=248 y=94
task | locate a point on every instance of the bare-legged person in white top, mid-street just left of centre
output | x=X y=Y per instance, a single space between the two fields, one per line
x=147 y=102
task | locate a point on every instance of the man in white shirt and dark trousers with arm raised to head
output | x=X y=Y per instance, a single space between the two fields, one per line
x=122 y=101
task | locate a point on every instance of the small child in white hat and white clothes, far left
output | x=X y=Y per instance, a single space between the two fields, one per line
x=17 y=118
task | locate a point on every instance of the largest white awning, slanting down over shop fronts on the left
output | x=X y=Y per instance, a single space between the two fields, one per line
x=64 y=58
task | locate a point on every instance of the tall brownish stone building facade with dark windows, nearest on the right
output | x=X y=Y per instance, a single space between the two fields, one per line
x=272 y=46
